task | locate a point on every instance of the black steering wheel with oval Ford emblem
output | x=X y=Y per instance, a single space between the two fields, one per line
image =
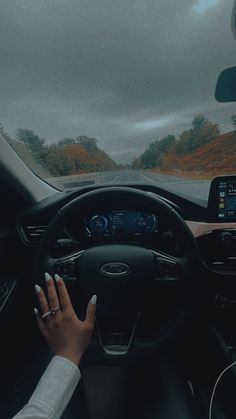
x=132 y=281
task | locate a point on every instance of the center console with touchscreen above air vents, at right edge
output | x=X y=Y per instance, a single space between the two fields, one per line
x=218 y=249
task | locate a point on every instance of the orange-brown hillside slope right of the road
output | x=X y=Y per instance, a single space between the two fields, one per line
x=215 y=158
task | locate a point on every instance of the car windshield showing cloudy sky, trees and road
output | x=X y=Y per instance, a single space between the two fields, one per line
x=113 y=92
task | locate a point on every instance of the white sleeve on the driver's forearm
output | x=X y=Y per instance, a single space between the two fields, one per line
x=53 y=391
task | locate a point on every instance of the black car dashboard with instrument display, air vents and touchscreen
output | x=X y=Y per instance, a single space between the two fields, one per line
x=215 y=234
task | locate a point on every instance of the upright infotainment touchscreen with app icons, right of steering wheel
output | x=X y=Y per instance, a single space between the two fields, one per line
x=222 y=199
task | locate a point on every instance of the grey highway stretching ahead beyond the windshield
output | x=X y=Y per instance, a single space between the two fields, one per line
x=194 y=188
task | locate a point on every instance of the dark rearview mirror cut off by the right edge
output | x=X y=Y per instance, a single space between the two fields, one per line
x=226 y=86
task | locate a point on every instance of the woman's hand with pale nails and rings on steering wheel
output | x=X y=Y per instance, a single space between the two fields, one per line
x=65 y=334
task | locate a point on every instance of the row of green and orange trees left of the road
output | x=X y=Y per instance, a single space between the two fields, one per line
x=68 y=156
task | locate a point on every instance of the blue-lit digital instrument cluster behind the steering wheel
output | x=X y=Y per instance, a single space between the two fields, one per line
x=121 y=222
